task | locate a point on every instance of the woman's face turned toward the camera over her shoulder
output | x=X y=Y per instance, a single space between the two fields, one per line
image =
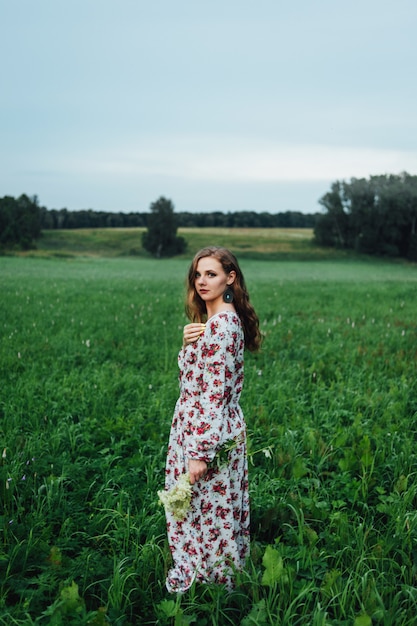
x=211 y=280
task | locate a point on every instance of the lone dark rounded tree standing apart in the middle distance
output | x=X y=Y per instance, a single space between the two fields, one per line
x=161 y=237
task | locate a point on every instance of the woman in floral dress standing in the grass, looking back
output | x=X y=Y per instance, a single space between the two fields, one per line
x=212 y=540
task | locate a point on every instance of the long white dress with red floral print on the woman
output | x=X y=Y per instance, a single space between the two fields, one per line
x=213 y=540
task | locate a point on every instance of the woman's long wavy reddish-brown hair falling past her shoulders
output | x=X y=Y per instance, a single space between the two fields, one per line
x=196 y=309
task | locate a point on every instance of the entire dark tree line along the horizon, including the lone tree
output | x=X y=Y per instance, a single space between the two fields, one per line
x=373 y=216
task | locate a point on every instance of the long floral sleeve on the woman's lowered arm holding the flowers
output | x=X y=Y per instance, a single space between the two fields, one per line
x=214 y=374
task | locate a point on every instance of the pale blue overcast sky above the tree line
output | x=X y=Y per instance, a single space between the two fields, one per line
x=228 y=105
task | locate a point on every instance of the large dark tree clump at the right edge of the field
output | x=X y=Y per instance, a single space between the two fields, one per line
x=375 y=216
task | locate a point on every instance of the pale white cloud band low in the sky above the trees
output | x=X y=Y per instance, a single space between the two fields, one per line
x=210 y=159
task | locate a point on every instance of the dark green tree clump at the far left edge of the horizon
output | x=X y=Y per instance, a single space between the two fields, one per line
x=20 y=222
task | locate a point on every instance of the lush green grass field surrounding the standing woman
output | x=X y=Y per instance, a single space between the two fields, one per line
x=88 y=386
